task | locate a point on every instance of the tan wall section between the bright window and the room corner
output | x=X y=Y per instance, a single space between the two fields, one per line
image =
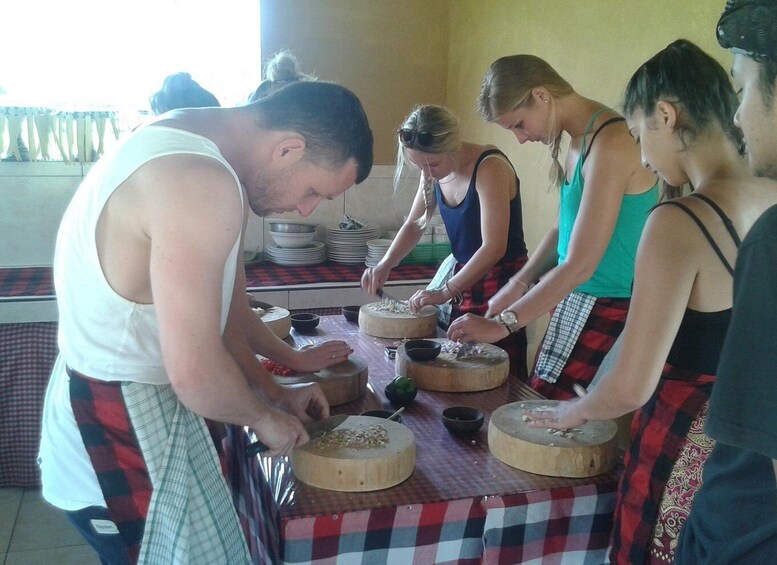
x=391 y=53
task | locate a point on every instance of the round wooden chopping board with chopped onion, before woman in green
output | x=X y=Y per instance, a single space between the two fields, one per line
x=448 y=374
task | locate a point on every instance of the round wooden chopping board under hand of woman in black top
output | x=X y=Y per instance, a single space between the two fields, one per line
x=590 y=449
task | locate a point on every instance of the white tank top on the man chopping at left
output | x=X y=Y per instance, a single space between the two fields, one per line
x=101 y=334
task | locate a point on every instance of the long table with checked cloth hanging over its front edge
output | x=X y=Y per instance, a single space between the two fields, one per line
x=460 y=505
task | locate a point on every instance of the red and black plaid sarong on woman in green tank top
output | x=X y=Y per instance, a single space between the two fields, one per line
x=603 y=326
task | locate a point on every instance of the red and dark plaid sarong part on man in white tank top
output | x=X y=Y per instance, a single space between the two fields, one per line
x=113 y=449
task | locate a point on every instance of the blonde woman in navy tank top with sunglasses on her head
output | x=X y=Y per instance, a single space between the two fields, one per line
x=478 y=194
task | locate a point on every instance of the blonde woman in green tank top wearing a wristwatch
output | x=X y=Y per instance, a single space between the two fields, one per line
x=583 y=268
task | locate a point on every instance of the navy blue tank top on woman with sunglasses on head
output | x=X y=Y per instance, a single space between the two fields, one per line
x=463 y=221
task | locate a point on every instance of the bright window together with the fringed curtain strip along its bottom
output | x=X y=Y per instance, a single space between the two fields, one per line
x=71 y=67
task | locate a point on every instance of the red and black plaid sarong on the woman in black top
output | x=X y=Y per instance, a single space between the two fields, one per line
x=659 y=431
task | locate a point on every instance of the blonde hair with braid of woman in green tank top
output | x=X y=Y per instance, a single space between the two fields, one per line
x=508 y=85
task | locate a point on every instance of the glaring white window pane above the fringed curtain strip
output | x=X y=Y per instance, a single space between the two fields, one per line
x=116 y=53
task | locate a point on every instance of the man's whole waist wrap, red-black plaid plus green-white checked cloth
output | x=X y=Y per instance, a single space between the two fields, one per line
x=159 y=473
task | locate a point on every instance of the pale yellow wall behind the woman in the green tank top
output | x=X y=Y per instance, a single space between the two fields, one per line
x=595 y=44
